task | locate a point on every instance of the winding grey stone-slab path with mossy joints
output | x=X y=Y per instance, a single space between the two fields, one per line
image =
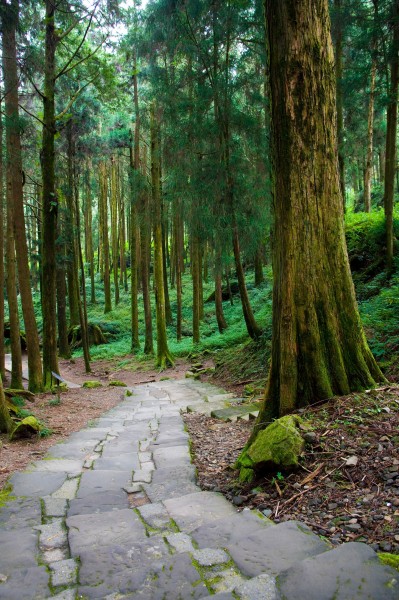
x=115 y=513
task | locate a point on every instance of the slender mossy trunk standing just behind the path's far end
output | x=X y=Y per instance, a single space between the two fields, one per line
x=164 y=358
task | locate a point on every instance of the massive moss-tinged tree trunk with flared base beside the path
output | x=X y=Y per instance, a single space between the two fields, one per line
x=318 y=345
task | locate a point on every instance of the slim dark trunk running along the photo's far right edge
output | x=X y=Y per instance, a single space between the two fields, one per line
x=390 y=151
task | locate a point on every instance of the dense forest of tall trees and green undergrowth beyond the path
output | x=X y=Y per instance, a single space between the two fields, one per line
x=155 y=197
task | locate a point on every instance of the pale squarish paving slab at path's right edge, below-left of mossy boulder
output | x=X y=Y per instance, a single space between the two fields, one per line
x=193 y=510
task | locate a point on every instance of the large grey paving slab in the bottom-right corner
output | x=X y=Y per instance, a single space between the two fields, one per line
x=352 y=570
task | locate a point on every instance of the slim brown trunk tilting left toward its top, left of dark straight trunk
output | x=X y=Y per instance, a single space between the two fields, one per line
x=15 y=184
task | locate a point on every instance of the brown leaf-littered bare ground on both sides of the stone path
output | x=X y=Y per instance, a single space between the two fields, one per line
x=346 y=489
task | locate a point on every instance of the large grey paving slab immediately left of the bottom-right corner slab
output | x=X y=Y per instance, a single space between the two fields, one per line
x=273 y=549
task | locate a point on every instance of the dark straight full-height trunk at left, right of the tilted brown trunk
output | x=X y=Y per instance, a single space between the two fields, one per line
x=49 y=203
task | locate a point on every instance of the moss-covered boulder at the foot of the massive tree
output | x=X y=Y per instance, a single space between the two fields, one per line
x=280 y=444
